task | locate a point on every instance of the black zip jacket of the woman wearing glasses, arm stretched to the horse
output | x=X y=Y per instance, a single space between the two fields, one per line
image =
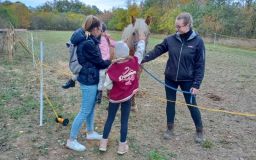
x=186 y=60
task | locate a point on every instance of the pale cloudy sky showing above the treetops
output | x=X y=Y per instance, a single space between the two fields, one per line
x=101 y=4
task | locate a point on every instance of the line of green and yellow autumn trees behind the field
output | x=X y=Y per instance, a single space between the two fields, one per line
x=228 y=17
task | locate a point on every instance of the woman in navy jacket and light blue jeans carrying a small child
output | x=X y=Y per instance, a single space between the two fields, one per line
x=89 y=57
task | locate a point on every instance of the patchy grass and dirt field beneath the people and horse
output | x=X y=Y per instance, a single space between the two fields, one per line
x=229 y=84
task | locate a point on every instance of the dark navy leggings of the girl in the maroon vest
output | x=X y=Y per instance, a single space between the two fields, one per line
x=125 y=112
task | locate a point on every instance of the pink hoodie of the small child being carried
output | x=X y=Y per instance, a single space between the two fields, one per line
x=105 y=43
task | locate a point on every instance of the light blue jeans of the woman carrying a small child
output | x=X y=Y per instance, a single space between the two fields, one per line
x=86 y=111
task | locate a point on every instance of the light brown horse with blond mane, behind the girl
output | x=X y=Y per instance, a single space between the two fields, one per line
x=131 y=36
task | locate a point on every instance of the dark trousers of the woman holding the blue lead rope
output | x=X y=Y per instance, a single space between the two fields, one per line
x=171 y=95
